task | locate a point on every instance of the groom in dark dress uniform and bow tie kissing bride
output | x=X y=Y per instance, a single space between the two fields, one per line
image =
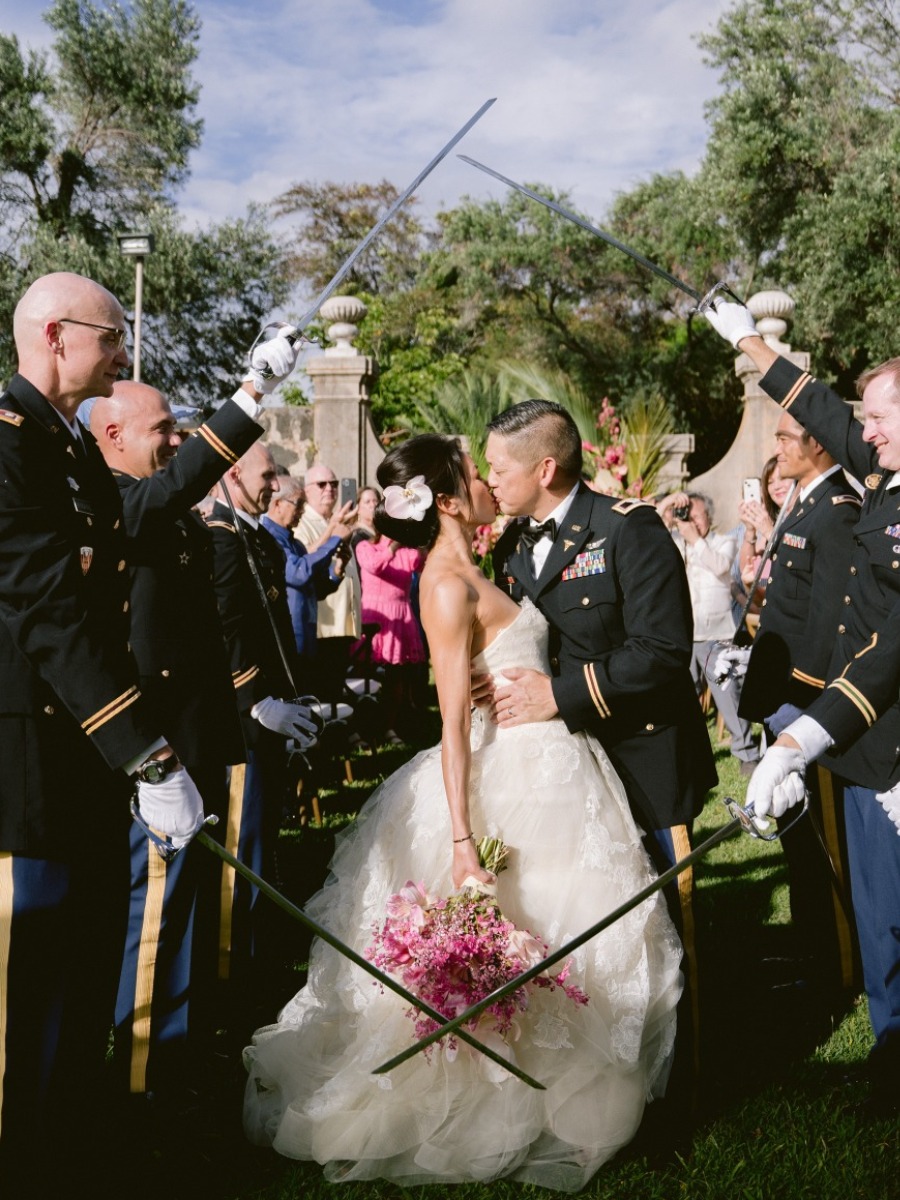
x=611 y=584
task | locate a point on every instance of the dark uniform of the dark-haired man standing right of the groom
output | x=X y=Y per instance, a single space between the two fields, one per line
x=789 y=664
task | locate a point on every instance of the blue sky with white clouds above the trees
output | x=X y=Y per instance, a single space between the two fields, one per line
x=593 y=97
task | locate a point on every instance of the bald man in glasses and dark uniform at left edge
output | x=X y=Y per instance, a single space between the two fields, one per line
x=73 y=727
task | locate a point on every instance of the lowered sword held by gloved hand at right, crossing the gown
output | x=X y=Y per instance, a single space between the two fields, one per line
x=742 y=819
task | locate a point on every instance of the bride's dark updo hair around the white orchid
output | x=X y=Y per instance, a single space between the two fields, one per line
x=441 y=463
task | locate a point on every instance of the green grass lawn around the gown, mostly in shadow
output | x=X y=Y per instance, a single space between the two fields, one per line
x=776 y=1117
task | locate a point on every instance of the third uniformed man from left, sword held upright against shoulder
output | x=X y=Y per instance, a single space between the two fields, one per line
x=265 y=670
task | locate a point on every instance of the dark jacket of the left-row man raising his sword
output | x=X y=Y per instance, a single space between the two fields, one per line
x=177 y=633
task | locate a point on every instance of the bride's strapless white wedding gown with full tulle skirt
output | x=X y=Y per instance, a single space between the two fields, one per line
x=556 y=801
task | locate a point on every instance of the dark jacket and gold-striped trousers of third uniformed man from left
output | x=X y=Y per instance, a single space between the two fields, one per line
x=249 y=958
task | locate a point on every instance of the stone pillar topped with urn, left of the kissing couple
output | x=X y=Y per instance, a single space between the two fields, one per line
x=345 y=439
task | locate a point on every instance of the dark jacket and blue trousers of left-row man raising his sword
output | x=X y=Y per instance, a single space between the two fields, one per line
x=165 y=1010
